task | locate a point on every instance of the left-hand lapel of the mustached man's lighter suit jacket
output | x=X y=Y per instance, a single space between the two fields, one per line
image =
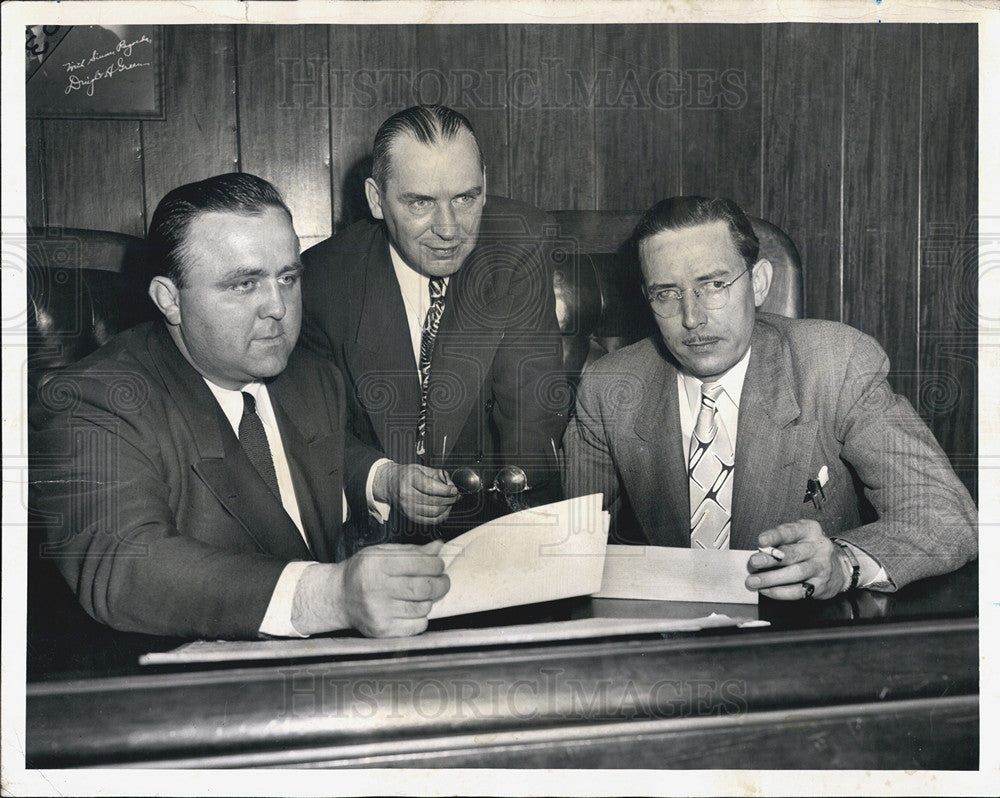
x=658 y=423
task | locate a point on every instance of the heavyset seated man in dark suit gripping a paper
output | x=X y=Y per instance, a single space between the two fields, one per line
x=190 y=471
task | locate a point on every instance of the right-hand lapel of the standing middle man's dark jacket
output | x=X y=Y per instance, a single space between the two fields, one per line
x=470 y=330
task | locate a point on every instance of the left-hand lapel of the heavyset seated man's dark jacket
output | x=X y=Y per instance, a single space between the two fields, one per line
x=222 y=465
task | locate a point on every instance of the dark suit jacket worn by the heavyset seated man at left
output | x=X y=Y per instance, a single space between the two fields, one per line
x=154 y=514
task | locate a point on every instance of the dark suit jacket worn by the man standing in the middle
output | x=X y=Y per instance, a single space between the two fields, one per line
x=497 y=394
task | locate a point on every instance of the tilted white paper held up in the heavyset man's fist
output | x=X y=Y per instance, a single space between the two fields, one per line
x=540 y=554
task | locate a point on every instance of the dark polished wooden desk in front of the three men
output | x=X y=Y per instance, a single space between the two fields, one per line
x=816 y=690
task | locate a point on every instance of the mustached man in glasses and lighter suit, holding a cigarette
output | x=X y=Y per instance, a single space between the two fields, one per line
x=744 y=429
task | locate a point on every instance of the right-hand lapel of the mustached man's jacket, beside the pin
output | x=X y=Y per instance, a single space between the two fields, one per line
x=770 y=450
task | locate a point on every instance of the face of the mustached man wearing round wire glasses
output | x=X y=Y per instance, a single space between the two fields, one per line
x=706 y=343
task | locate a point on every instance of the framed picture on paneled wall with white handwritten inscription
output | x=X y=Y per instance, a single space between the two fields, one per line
x=94 y=71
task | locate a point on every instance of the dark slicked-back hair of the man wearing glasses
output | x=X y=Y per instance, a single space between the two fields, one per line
x=679 y=213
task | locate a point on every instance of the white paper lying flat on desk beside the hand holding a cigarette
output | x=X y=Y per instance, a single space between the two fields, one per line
x=667 y=573
